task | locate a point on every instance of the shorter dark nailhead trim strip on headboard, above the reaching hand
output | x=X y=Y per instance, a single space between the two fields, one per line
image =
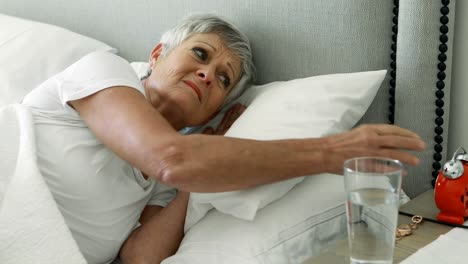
x=391 y=91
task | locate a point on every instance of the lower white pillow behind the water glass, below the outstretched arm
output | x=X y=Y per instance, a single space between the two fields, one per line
x=300 y=225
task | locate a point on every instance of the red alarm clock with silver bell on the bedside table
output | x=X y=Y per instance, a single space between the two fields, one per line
x=451 y=189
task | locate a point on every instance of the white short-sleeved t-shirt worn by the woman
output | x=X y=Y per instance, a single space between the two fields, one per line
x=100 y=195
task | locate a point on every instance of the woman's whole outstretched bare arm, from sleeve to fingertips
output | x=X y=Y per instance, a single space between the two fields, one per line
x=137 y=132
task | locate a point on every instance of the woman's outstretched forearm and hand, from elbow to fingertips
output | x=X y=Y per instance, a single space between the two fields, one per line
x=218 y=163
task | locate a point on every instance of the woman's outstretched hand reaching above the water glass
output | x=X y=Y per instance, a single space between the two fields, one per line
x=373 y=140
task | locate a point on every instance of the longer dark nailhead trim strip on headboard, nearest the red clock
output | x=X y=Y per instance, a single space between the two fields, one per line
x=439 y=120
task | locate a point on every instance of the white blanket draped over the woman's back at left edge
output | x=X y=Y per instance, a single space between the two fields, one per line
x=32 y=229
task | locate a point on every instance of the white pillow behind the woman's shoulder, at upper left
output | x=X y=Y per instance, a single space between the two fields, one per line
x=31 y=52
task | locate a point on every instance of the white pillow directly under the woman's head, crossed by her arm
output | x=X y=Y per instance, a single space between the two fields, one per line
x=310 y=107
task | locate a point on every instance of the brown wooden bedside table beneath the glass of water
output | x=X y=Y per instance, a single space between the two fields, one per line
x=425 y=233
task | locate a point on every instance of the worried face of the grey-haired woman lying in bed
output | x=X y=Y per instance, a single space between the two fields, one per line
x=190 y=83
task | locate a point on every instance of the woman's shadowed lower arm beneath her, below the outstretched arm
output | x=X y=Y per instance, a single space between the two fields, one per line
x=159 y=235
